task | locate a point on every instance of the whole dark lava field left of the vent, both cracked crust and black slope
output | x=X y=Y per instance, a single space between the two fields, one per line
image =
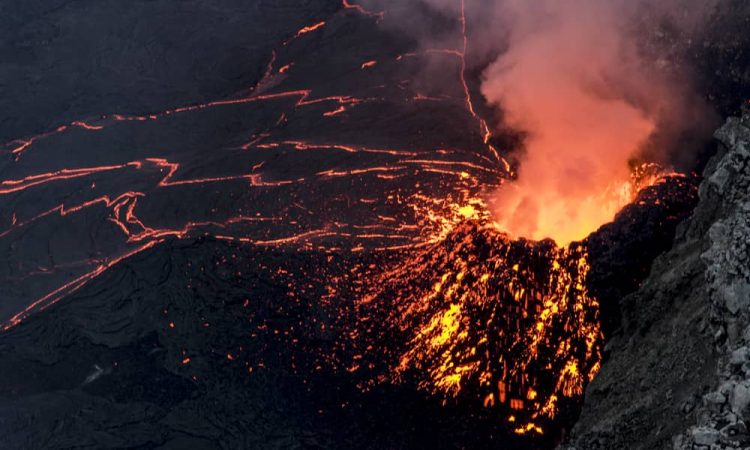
x=131 y=130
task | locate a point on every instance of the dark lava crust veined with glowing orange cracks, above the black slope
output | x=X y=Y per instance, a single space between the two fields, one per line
x=183 y=119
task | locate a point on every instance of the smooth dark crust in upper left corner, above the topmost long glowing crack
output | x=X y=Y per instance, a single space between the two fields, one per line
x=65 y=60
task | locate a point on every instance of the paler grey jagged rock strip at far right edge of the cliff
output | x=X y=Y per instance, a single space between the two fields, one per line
x=721 y=420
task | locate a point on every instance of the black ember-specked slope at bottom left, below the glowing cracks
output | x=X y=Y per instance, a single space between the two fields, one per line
x=176 y=348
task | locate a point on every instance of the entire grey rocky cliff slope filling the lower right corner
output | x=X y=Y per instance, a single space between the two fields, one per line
x=677 y=375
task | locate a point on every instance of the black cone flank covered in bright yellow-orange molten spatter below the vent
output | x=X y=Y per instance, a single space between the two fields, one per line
x=503 y=324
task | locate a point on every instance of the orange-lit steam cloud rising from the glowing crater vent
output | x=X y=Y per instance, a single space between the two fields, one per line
x=594 y=86
